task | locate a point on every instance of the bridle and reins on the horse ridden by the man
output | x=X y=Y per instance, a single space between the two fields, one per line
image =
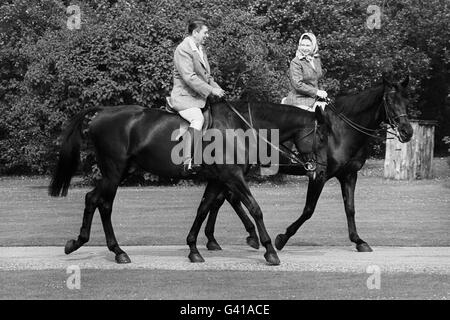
x=308 y=163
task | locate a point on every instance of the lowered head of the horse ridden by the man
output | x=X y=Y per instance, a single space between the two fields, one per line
x=312 y=145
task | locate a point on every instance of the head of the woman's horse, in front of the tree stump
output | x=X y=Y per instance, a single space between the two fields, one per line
x=395 y=102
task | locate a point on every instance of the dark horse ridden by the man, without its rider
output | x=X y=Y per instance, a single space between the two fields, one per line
x=135 y=136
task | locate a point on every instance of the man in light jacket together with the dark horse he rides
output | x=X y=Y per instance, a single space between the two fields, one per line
x=129 y=136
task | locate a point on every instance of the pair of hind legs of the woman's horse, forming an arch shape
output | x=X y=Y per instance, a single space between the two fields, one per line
x=252 y=239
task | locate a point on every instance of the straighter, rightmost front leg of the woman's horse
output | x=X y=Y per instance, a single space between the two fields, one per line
x=348 y=184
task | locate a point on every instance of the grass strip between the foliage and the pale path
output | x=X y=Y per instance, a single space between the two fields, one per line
x=397 y=213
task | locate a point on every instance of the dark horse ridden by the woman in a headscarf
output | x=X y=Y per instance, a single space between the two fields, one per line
x=354 y=120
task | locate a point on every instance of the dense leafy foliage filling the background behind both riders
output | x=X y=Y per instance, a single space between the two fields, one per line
x=122 y=54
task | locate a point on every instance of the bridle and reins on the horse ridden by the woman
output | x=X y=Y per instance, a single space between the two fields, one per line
x=374 y=133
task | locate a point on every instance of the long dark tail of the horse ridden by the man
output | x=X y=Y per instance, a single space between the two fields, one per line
x=69 y=155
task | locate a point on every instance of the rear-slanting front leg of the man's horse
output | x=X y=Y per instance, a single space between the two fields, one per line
x=213 y=189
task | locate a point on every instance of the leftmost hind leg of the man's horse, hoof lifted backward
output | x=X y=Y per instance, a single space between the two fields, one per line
x=85 y=230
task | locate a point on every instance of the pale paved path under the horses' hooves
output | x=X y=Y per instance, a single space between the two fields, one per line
x=430 y=260
